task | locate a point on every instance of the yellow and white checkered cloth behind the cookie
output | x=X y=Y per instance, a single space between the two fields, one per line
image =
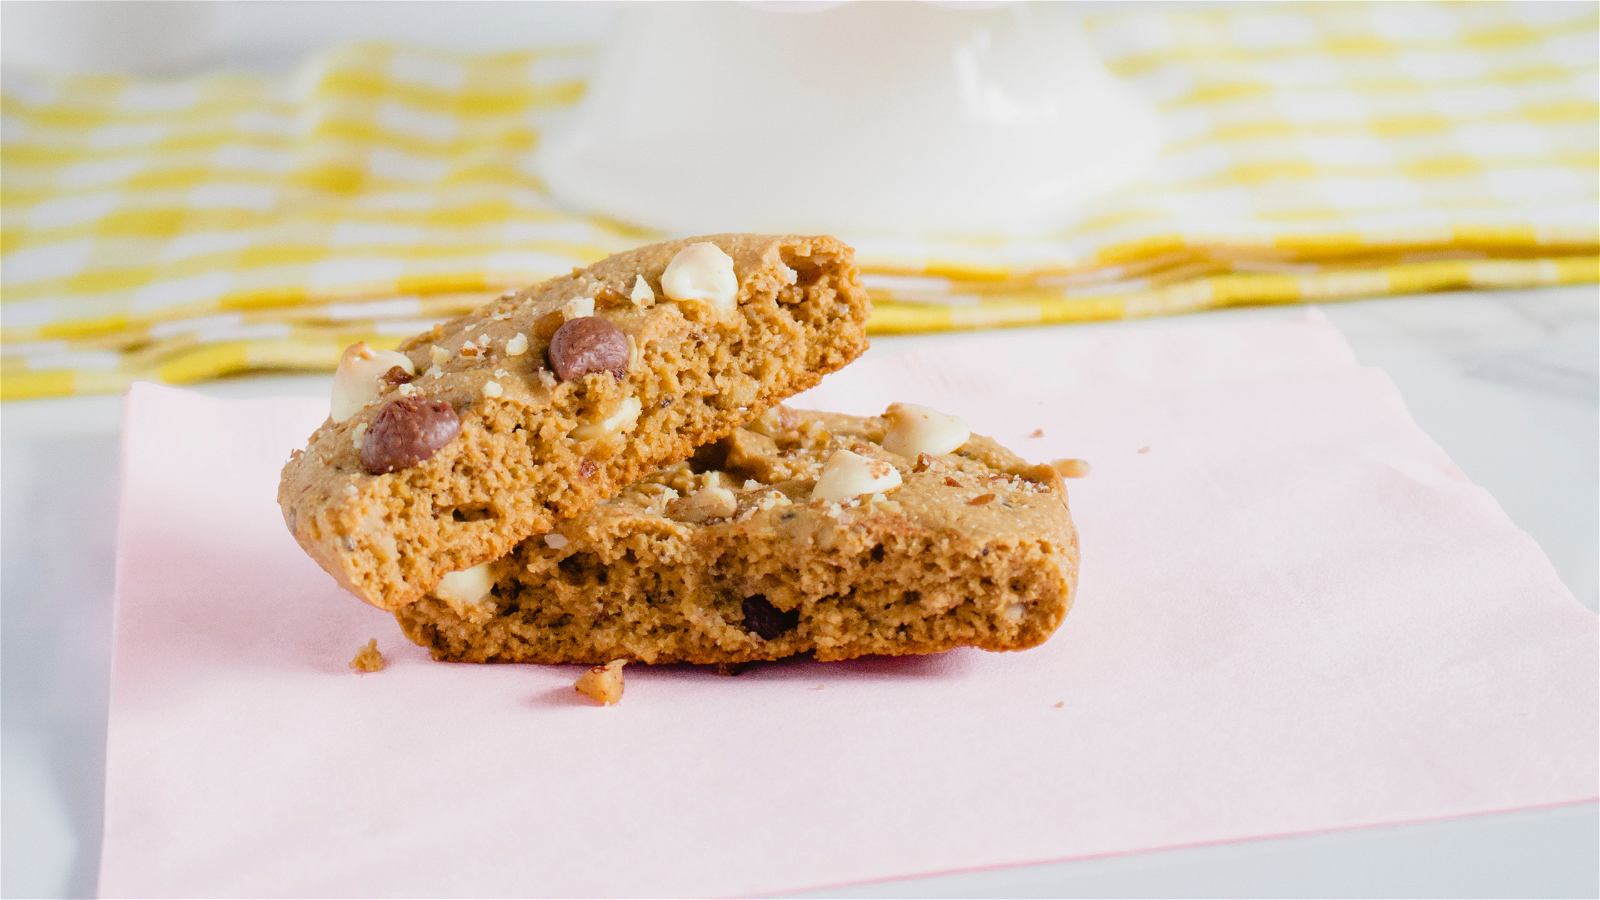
x=199 y=228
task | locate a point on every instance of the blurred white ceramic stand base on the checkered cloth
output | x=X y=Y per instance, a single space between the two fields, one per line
x=852 y=119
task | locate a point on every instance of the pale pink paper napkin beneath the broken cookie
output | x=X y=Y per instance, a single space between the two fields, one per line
x=1295 y=616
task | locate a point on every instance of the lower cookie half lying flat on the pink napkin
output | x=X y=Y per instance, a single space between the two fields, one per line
x=804 y=532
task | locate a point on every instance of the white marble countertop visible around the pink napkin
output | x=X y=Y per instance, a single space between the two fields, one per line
x=1508 y=384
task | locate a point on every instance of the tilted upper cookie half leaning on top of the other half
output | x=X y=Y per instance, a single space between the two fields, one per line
x=468 y=440
